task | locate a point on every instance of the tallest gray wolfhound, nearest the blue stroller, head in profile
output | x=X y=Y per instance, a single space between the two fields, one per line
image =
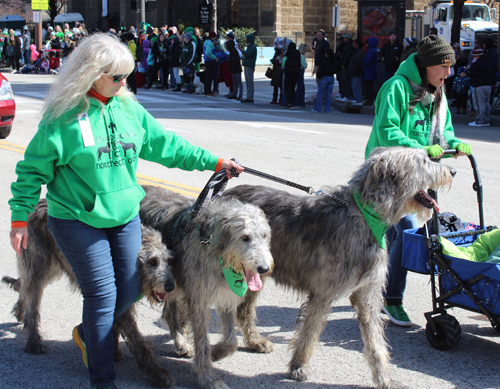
x=323 y=248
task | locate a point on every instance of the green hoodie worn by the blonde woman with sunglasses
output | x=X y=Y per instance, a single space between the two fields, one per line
x=97 y=184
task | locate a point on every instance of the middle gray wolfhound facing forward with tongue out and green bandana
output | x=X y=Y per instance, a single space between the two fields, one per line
x=227 y=233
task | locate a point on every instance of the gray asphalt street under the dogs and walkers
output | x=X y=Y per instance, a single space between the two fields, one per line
x=310 y=149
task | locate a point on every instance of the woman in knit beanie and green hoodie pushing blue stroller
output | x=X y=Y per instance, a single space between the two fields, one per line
x=413 y=113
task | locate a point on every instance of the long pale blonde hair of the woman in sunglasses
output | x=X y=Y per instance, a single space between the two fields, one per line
x=96 y=55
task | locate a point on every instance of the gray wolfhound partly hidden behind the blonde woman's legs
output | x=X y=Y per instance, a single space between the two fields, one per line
x=43 y=263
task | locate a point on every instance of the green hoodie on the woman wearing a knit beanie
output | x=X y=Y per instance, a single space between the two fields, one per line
x=393 y=125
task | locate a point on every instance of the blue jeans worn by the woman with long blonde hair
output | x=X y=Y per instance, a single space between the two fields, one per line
x=105 y=265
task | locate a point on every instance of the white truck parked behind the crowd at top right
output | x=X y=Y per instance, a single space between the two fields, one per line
x=477 y=21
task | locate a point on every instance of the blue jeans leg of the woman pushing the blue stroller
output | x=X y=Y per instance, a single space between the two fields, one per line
x=396 y=278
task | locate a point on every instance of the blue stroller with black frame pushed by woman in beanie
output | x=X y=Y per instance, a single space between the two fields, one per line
x=455 y=282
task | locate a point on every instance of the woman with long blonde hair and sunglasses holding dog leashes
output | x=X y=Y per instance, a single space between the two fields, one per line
x=86 y=151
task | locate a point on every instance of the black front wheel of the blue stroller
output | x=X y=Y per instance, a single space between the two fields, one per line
x=447 y=334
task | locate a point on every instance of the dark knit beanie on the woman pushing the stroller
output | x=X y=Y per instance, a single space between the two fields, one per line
x=433 y=50
